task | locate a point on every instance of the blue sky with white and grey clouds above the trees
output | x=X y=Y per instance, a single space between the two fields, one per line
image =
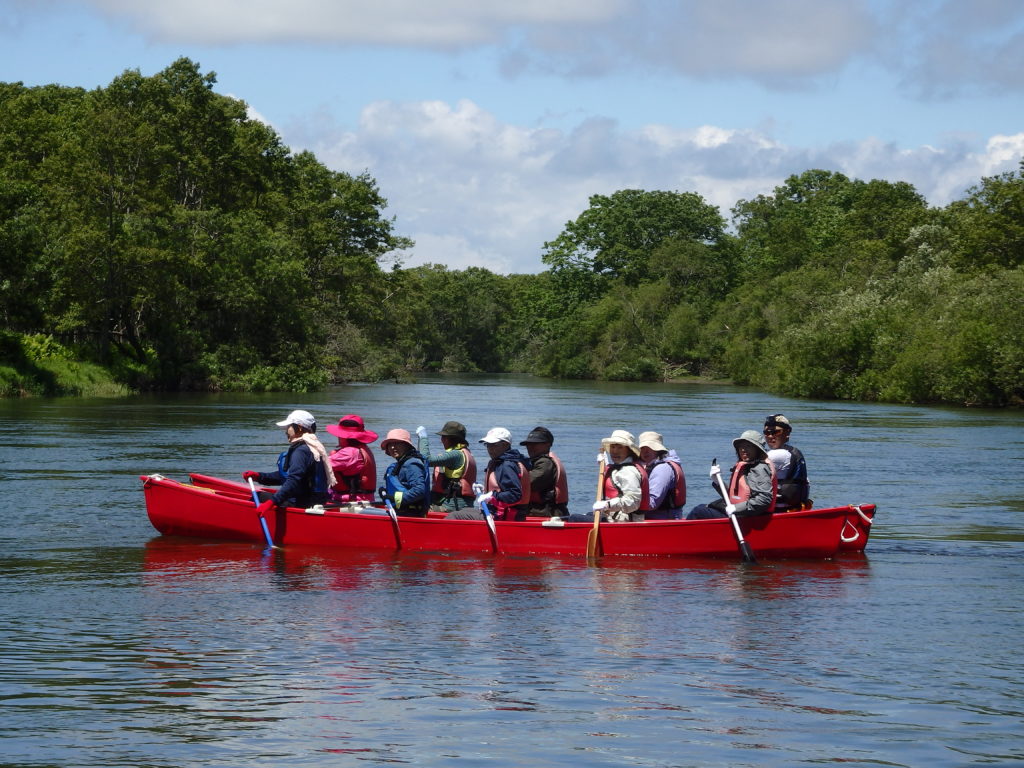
x=489 y=125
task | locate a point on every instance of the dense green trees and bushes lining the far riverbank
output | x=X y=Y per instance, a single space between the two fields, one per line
x=154 y=236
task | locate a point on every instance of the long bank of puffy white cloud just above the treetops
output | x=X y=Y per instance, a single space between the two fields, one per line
x=475 y=191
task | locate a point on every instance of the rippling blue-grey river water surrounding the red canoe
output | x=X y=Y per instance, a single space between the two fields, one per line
x=124 y=649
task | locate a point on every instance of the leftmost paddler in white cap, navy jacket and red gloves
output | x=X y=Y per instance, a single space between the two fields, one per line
x=305 y=473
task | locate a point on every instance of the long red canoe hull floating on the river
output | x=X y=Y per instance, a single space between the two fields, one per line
x=214 y=508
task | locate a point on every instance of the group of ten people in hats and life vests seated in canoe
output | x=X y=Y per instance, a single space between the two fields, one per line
x=643 y=480
